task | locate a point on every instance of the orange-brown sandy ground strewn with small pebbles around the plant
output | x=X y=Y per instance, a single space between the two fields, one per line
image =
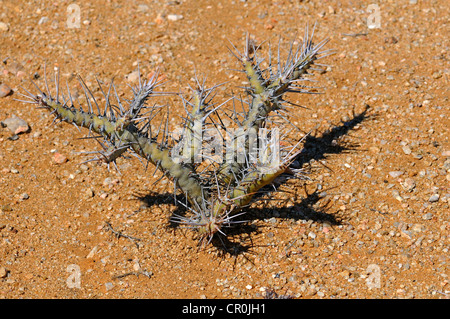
x=373 y=221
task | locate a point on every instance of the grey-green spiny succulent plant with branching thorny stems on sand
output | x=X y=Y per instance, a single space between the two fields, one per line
x=218 y=168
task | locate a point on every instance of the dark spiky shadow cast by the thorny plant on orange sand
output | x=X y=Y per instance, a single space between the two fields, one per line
x=239 y=236
